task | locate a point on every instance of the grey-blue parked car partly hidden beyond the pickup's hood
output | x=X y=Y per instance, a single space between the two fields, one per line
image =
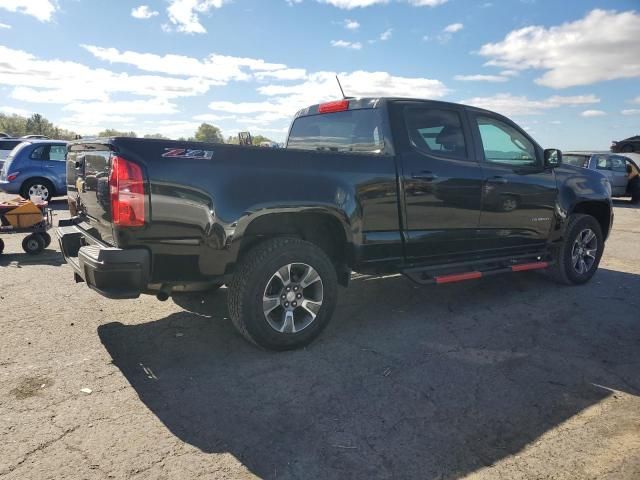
x=614 y=167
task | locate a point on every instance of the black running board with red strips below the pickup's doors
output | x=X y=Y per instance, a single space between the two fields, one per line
x=429 y=275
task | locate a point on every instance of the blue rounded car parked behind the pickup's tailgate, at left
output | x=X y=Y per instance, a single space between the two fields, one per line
x=36 y=167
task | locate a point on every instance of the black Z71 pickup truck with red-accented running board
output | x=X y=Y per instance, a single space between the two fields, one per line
x=437 y=191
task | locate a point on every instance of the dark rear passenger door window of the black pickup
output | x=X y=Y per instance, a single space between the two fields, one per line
x=436 y=131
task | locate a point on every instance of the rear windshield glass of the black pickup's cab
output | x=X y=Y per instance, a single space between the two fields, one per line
x=355 y=131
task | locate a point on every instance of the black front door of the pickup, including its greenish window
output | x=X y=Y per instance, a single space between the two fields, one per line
x=519 y=193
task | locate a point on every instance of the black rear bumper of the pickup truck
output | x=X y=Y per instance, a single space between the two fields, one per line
x=112 y=272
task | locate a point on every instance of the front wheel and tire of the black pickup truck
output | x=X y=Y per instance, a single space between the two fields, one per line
x=576 y=245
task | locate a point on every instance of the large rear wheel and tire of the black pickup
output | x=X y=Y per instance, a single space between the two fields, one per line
x=260 y=275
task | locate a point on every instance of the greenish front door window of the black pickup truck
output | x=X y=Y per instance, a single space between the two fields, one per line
x=503 y=144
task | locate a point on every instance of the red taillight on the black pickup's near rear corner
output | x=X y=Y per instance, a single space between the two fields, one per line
x=126 y=187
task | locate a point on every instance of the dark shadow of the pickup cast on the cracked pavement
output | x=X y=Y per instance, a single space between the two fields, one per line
x=407 y=382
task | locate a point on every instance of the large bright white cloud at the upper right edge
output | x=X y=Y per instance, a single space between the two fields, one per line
x=601 y=46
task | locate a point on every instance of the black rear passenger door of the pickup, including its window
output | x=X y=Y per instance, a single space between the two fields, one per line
x=442 y=181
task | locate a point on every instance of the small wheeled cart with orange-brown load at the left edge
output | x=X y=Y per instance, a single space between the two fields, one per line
x=24 y=216
